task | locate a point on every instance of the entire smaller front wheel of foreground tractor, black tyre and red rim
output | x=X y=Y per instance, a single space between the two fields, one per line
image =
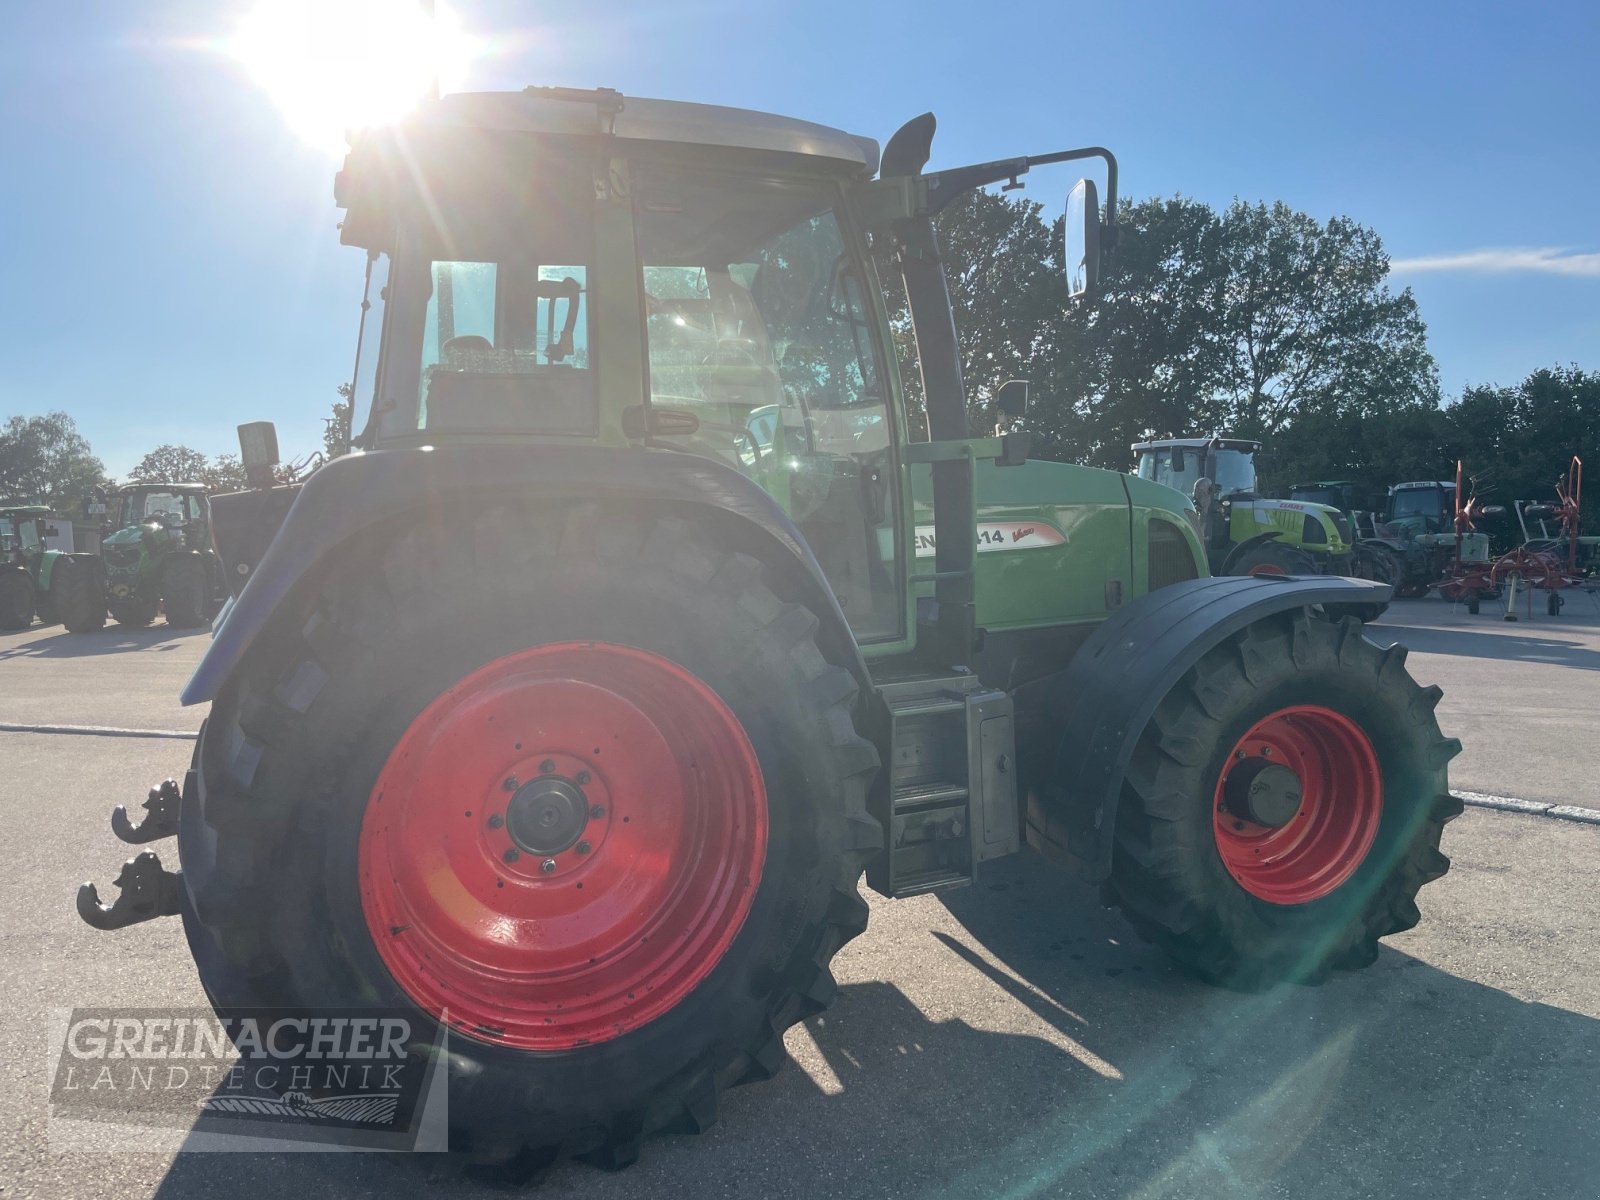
x=1183 y=868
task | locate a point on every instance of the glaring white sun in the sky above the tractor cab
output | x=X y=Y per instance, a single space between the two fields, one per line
x=334 y=66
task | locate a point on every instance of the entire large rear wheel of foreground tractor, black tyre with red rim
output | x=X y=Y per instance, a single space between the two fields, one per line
x=330 y=746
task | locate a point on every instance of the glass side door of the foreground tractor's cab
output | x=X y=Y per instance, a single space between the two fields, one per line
x=764 y=354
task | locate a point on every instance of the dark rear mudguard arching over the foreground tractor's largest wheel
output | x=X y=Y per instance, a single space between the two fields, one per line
x=354 y=494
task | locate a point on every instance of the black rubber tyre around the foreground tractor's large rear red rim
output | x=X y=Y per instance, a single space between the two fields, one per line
x=302 y=735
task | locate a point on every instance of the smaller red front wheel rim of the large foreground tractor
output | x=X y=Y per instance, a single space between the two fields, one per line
x=1342 y=799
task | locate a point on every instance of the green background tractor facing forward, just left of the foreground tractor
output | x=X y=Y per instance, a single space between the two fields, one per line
x=159 y=556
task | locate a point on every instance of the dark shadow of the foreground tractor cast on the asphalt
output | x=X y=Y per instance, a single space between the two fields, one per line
x=1094 y=1068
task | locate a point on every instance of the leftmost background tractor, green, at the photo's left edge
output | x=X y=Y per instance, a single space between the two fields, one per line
x=55 y=585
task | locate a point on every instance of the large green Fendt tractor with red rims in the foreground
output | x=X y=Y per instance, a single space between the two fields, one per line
x=570 y=711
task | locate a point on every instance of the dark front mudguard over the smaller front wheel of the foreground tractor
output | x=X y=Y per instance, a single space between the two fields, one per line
x=1108 y=694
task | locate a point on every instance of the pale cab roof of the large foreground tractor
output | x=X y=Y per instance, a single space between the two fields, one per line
x=578 y=113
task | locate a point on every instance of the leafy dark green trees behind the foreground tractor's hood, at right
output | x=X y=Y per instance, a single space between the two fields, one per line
x=1255 y=321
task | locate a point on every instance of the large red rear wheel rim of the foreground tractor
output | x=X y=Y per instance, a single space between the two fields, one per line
x=562 y=846
